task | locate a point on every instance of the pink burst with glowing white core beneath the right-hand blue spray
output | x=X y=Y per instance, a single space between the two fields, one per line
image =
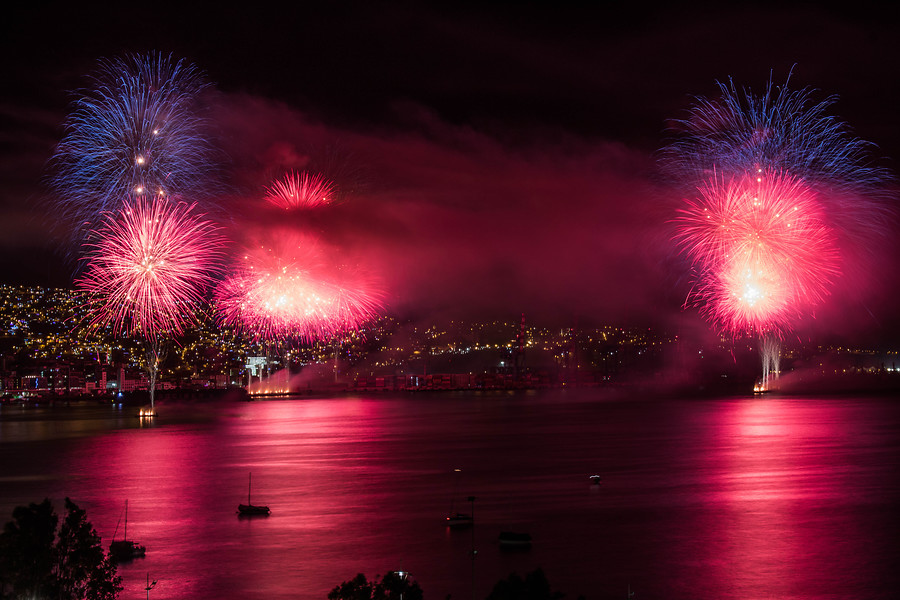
x=762 y=251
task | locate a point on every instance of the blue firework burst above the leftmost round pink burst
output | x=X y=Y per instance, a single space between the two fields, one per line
x=138 y=131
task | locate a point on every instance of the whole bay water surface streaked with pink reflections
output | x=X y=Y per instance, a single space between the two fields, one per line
x=726 y=498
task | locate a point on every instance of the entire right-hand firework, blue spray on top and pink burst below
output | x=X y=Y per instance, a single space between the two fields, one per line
x=753 y=272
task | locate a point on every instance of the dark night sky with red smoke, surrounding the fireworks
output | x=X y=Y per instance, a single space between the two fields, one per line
x=501 y=157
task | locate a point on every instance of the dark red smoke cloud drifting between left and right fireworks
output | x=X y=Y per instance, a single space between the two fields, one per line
x=458 y=223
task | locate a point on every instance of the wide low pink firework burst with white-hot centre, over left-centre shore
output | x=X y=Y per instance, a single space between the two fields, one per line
x=288 y=290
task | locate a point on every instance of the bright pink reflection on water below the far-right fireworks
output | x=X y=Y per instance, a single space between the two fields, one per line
x=776 y=497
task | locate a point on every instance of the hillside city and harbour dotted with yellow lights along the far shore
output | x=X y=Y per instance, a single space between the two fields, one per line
x=47 y=351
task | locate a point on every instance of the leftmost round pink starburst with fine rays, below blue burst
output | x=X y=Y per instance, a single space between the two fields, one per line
x=149 y=266
